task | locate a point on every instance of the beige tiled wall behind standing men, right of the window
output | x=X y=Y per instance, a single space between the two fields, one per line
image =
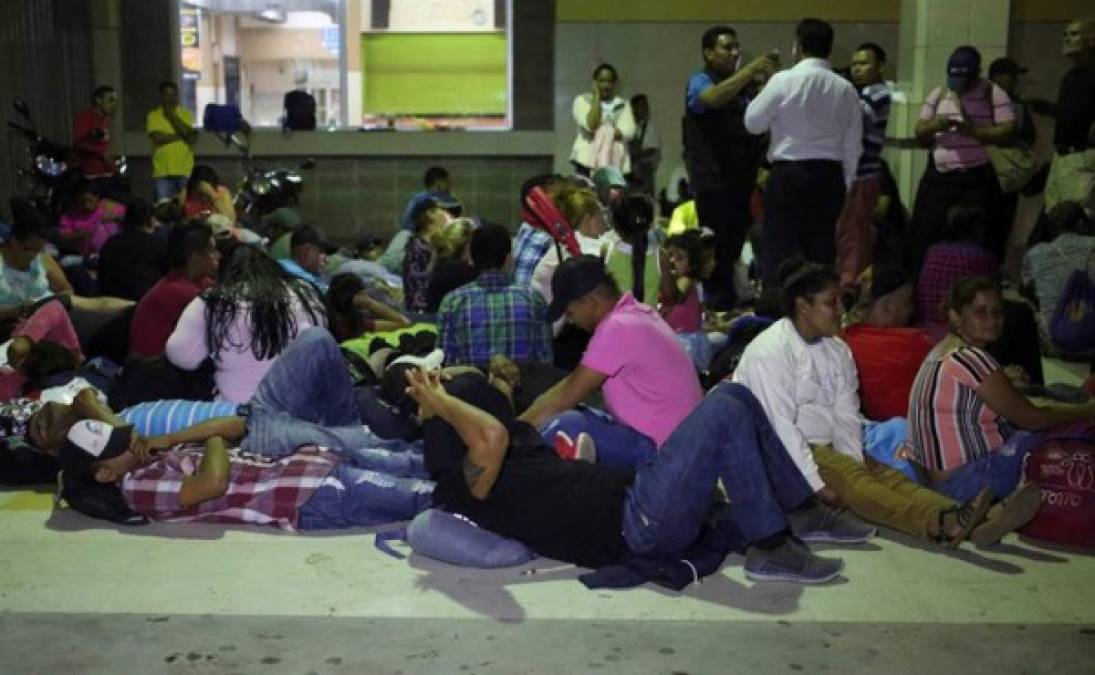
x=658 y=60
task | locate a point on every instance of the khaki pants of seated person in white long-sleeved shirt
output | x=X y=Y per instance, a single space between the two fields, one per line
x=881 y=496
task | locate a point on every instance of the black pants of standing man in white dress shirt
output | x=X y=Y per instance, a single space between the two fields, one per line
x=802 y=203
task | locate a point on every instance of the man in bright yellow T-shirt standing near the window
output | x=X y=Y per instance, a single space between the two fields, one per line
x=171 y=129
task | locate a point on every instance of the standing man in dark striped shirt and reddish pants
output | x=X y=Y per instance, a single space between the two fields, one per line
x=855 y=236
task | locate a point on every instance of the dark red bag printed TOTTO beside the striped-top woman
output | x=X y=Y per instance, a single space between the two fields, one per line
x=1065 y=470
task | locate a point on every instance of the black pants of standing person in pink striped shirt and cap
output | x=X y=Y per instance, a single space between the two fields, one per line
x=938 y=193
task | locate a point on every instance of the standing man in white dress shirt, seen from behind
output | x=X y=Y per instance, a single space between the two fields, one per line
x=817 y=138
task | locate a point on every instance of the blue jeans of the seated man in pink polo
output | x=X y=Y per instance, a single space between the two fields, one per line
x=619 y=447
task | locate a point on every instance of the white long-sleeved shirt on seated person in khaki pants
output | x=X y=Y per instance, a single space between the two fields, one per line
x=809 y=393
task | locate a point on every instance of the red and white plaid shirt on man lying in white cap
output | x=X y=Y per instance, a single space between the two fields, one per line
x=260 y=491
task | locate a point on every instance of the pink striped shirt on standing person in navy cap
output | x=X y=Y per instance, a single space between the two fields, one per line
x=954 y=152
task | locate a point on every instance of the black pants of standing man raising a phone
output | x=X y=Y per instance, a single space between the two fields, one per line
x=727 y=213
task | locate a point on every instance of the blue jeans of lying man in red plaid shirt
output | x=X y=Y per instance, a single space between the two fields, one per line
x=356 y=498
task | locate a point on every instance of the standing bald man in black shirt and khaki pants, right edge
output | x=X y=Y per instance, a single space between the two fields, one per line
x=1073 y=174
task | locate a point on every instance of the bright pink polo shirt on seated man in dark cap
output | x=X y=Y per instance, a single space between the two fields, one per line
x=652 y=385
